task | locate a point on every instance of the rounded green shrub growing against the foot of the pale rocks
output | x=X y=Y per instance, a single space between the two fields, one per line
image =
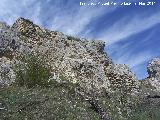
x=33 y=71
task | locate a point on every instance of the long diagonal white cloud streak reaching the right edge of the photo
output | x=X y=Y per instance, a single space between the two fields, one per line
x=123 y=29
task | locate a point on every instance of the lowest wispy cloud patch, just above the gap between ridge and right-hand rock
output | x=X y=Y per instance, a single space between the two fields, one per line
x=129 y=55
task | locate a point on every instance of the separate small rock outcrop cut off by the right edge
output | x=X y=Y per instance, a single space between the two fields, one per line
x=154 y=73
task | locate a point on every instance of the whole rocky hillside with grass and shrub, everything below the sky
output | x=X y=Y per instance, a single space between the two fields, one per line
x=47 y=75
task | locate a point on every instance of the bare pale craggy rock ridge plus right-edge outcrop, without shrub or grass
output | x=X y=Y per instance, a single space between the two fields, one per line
x=79 y=60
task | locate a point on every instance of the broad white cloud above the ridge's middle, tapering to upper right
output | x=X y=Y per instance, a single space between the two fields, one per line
x=75 y=21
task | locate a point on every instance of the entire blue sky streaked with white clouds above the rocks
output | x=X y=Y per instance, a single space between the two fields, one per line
x=131 y=32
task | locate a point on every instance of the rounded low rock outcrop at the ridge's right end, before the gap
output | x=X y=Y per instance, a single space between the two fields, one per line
x=121 y=76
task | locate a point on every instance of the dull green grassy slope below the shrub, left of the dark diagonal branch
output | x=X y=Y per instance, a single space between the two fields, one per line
x=54 y=103
